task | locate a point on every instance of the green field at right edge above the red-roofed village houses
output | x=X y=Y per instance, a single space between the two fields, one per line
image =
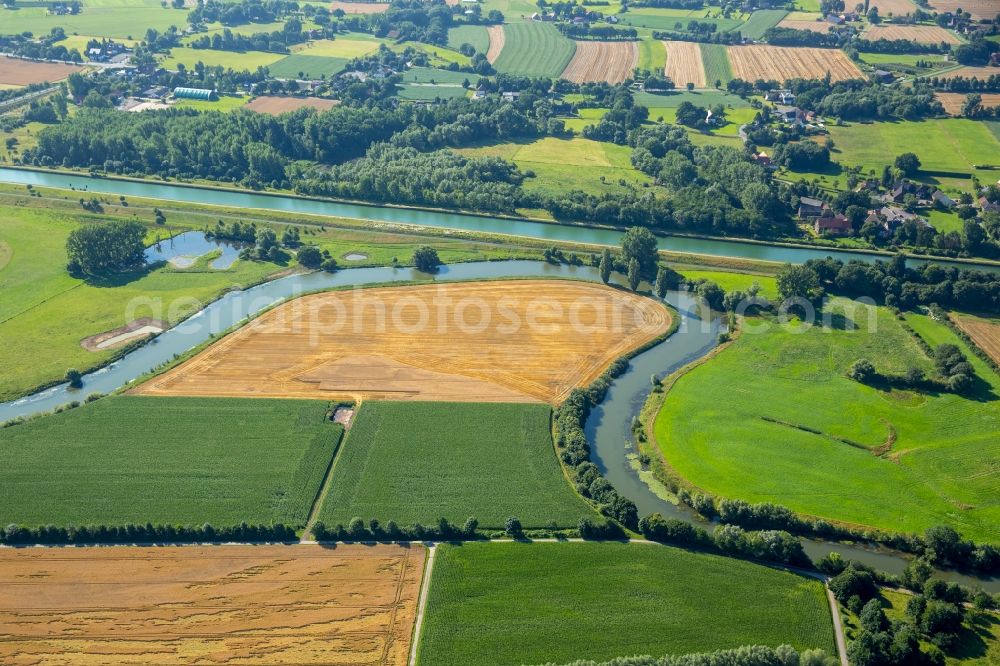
x=949 y=145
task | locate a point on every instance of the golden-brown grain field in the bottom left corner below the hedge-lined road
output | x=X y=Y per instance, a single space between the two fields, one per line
x=209 y=604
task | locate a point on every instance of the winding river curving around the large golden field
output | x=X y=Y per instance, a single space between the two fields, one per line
x=608 y=427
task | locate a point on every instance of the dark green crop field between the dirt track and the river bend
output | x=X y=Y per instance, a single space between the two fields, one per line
x=420 y=461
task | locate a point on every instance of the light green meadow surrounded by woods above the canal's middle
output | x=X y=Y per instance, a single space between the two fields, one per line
x=563 y=165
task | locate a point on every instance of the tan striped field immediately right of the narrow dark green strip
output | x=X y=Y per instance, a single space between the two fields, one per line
x=780 y=63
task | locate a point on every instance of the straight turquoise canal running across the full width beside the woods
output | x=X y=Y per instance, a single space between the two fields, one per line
x=427 y=218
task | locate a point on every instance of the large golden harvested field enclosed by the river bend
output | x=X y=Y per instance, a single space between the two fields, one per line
x=503 y=341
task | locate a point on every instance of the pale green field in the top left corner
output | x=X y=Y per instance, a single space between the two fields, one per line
x=120 y=18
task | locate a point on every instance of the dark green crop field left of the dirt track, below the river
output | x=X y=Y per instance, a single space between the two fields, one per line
x=131 y=459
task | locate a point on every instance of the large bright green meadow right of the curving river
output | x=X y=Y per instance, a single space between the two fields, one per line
x=942 y=448
